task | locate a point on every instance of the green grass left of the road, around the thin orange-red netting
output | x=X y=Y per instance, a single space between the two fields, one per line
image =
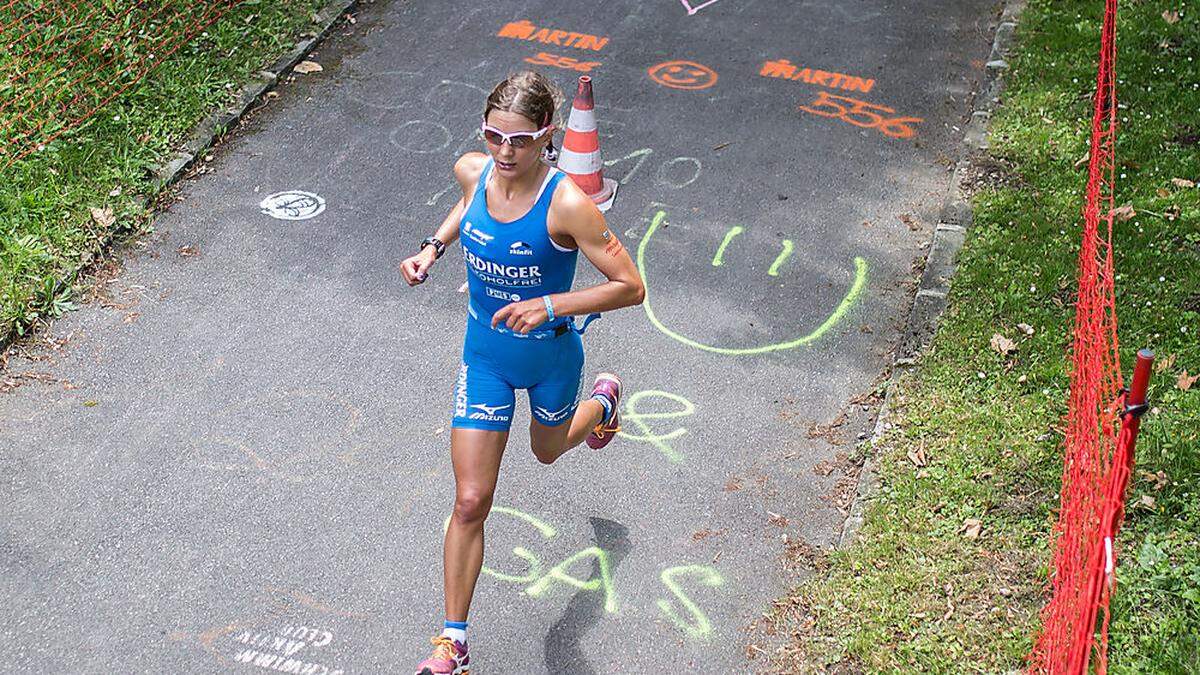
x=47 y=231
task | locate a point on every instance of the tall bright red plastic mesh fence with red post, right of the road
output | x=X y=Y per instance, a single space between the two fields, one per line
x=1097 y=450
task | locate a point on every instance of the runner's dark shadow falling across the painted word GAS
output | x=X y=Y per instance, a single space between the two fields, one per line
x=562 y=653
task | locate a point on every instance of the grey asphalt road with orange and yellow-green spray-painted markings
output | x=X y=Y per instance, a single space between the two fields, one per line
x=238 y=457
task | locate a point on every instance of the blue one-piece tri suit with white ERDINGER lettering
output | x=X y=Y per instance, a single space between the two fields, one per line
x=508 y=262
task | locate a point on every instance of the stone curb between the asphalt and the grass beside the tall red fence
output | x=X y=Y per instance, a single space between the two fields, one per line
x=931 y=301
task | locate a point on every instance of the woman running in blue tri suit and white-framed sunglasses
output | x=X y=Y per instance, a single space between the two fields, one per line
x=523 y=225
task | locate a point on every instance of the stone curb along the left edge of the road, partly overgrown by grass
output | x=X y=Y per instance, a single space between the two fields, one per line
x=206 y=134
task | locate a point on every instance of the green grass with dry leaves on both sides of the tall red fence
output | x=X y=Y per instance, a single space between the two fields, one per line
x=915 y=593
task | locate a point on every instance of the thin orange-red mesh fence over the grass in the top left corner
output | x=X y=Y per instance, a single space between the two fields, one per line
x=63 y=62
